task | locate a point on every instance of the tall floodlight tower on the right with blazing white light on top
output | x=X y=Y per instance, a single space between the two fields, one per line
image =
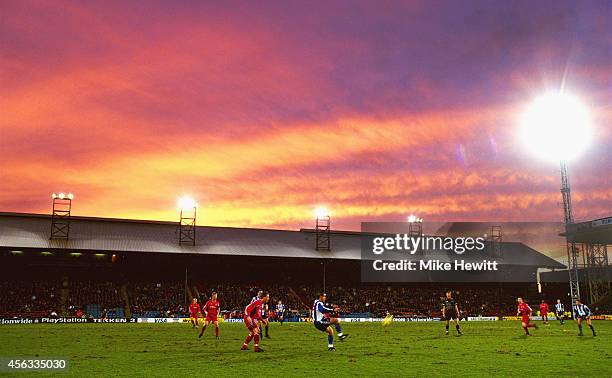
x=557 y=126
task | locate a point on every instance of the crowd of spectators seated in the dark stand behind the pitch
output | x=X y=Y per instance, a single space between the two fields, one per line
x=170 y=299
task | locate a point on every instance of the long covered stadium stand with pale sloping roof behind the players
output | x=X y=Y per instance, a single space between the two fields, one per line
x=116 y=268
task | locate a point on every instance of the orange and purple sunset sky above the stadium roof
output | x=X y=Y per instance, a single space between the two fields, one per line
x=262 y=111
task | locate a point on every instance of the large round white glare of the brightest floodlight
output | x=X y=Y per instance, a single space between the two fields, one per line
x=556 y=127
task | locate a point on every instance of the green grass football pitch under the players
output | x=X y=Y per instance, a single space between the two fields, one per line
x=298 y=349
